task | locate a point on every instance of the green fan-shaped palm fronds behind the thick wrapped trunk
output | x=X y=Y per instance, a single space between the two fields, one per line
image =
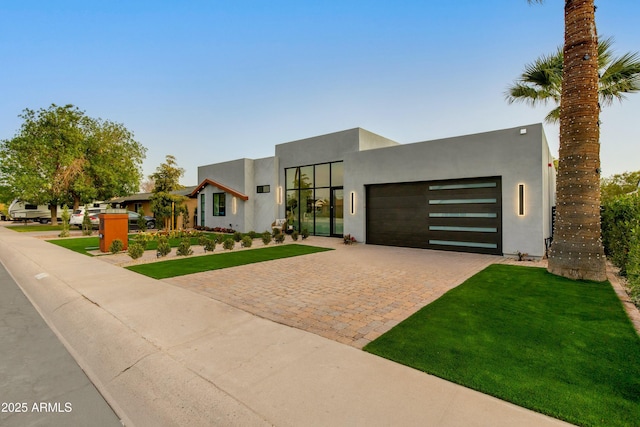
x=541 y=81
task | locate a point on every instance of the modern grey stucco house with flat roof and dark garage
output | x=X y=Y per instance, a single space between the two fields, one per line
x=490 y=192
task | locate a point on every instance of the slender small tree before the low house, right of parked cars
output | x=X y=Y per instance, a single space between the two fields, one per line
x=164 y=202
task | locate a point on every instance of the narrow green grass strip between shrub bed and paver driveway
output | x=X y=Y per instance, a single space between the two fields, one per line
x=190 y=265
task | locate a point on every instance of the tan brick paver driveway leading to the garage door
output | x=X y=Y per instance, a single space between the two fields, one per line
x=352 y=294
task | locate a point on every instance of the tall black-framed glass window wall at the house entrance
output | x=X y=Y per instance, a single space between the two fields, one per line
x=309 y=196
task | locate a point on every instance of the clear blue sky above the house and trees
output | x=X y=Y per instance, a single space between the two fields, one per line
x=217 y=80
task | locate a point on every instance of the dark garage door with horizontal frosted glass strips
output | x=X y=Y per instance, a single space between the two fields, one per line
x=457 y=215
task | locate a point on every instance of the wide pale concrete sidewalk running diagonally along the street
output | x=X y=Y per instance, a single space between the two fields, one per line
x=166 y=356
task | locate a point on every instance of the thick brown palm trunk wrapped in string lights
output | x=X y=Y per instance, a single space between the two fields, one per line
x=577 y=250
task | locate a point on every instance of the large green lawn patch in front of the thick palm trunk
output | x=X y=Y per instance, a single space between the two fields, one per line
x=559 y=347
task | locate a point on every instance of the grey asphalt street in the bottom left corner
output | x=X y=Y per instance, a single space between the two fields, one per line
x=40 y=383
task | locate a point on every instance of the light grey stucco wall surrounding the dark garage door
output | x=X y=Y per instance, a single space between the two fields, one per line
x=516 y=157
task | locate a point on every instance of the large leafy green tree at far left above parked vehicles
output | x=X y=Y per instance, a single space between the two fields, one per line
x=60 y=156
